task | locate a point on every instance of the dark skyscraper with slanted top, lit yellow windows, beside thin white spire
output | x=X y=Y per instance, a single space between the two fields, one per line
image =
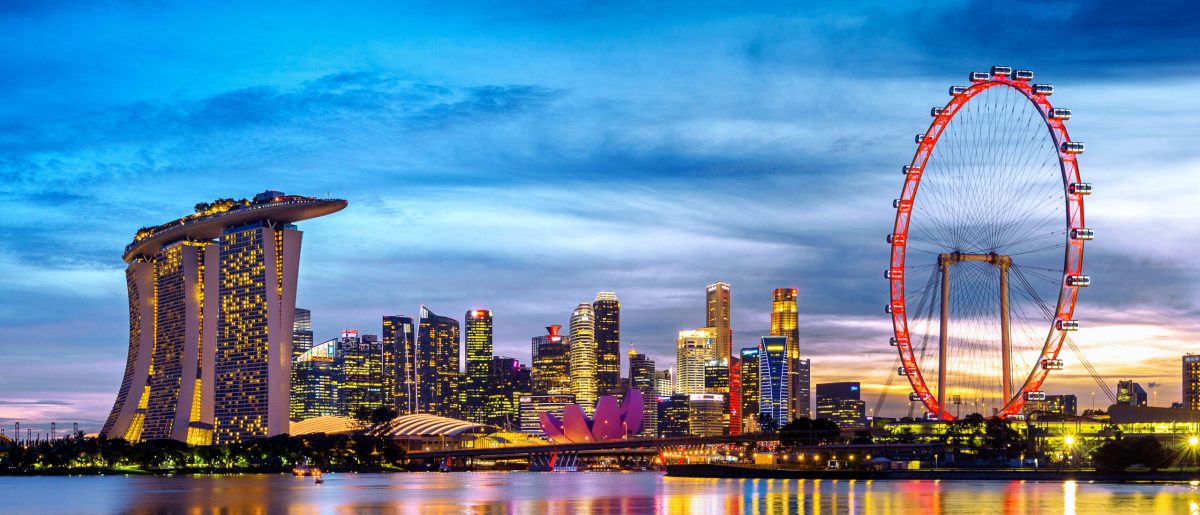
x=437 y=366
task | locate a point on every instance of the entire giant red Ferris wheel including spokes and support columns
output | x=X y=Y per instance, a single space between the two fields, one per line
x=987 y=261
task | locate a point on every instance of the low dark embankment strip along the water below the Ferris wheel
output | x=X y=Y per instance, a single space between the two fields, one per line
x=965 y=475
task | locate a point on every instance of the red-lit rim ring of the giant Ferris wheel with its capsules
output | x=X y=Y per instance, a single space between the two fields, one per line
x=1073 y=253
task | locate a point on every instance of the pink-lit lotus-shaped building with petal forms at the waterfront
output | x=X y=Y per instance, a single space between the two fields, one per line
x=613 y=421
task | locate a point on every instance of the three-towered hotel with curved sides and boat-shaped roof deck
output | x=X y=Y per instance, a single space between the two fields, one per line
x=212 y=320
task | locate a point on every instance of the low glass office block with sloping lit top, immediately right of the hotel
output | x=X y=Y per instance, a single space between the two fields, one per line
x=315 y=388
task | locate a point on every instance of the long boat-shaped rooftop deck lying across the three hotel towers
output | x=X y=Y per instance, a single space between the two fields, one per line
x=280 y=209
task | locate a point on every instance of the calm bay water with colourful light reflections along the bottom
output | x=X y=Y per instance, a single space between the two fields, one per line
x=578 y=494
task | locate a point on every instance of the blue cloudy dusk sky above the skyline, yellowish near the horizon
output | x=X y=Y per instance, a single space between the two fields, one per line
x=523 y=159
